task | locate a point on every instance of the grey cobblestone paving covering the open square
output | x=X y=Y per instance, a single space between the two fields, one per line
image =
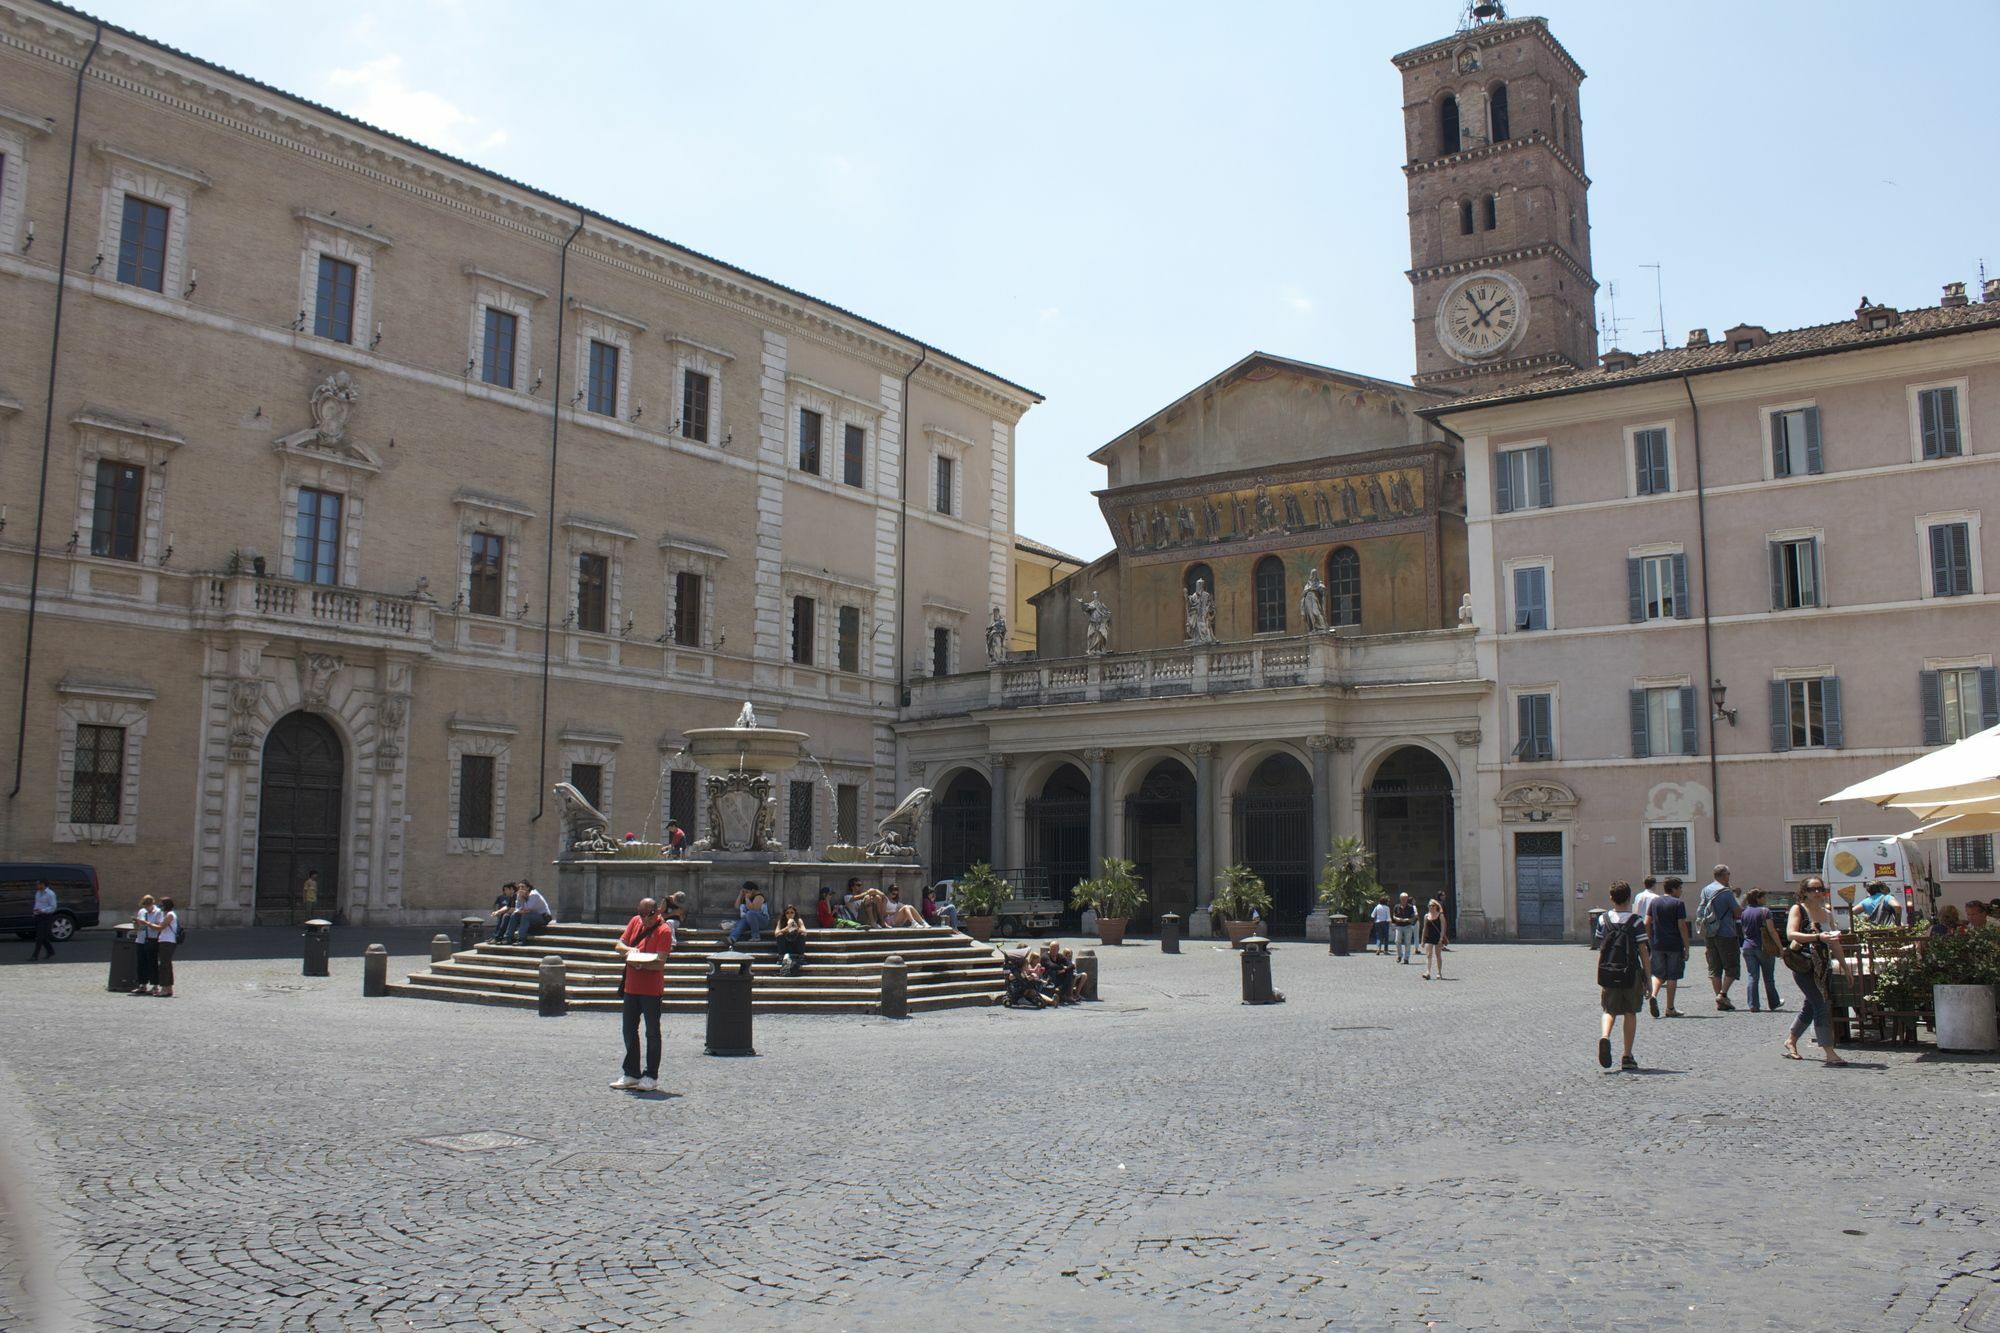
x=1381 y=1152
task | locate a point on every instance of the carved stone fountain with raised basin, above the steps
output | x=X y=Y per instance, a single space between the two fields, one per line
x=601 y=878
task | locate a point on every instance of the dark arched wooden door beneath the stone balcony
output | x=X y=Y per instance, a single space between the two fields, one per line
x=299 y=822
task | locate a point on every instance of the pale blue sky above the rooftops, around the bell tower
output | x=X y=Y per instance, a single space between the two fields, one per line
x=1111 y=203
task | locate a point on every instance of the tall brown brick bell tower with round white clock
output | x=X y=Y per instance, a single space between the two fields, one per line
x=1499 y=205
